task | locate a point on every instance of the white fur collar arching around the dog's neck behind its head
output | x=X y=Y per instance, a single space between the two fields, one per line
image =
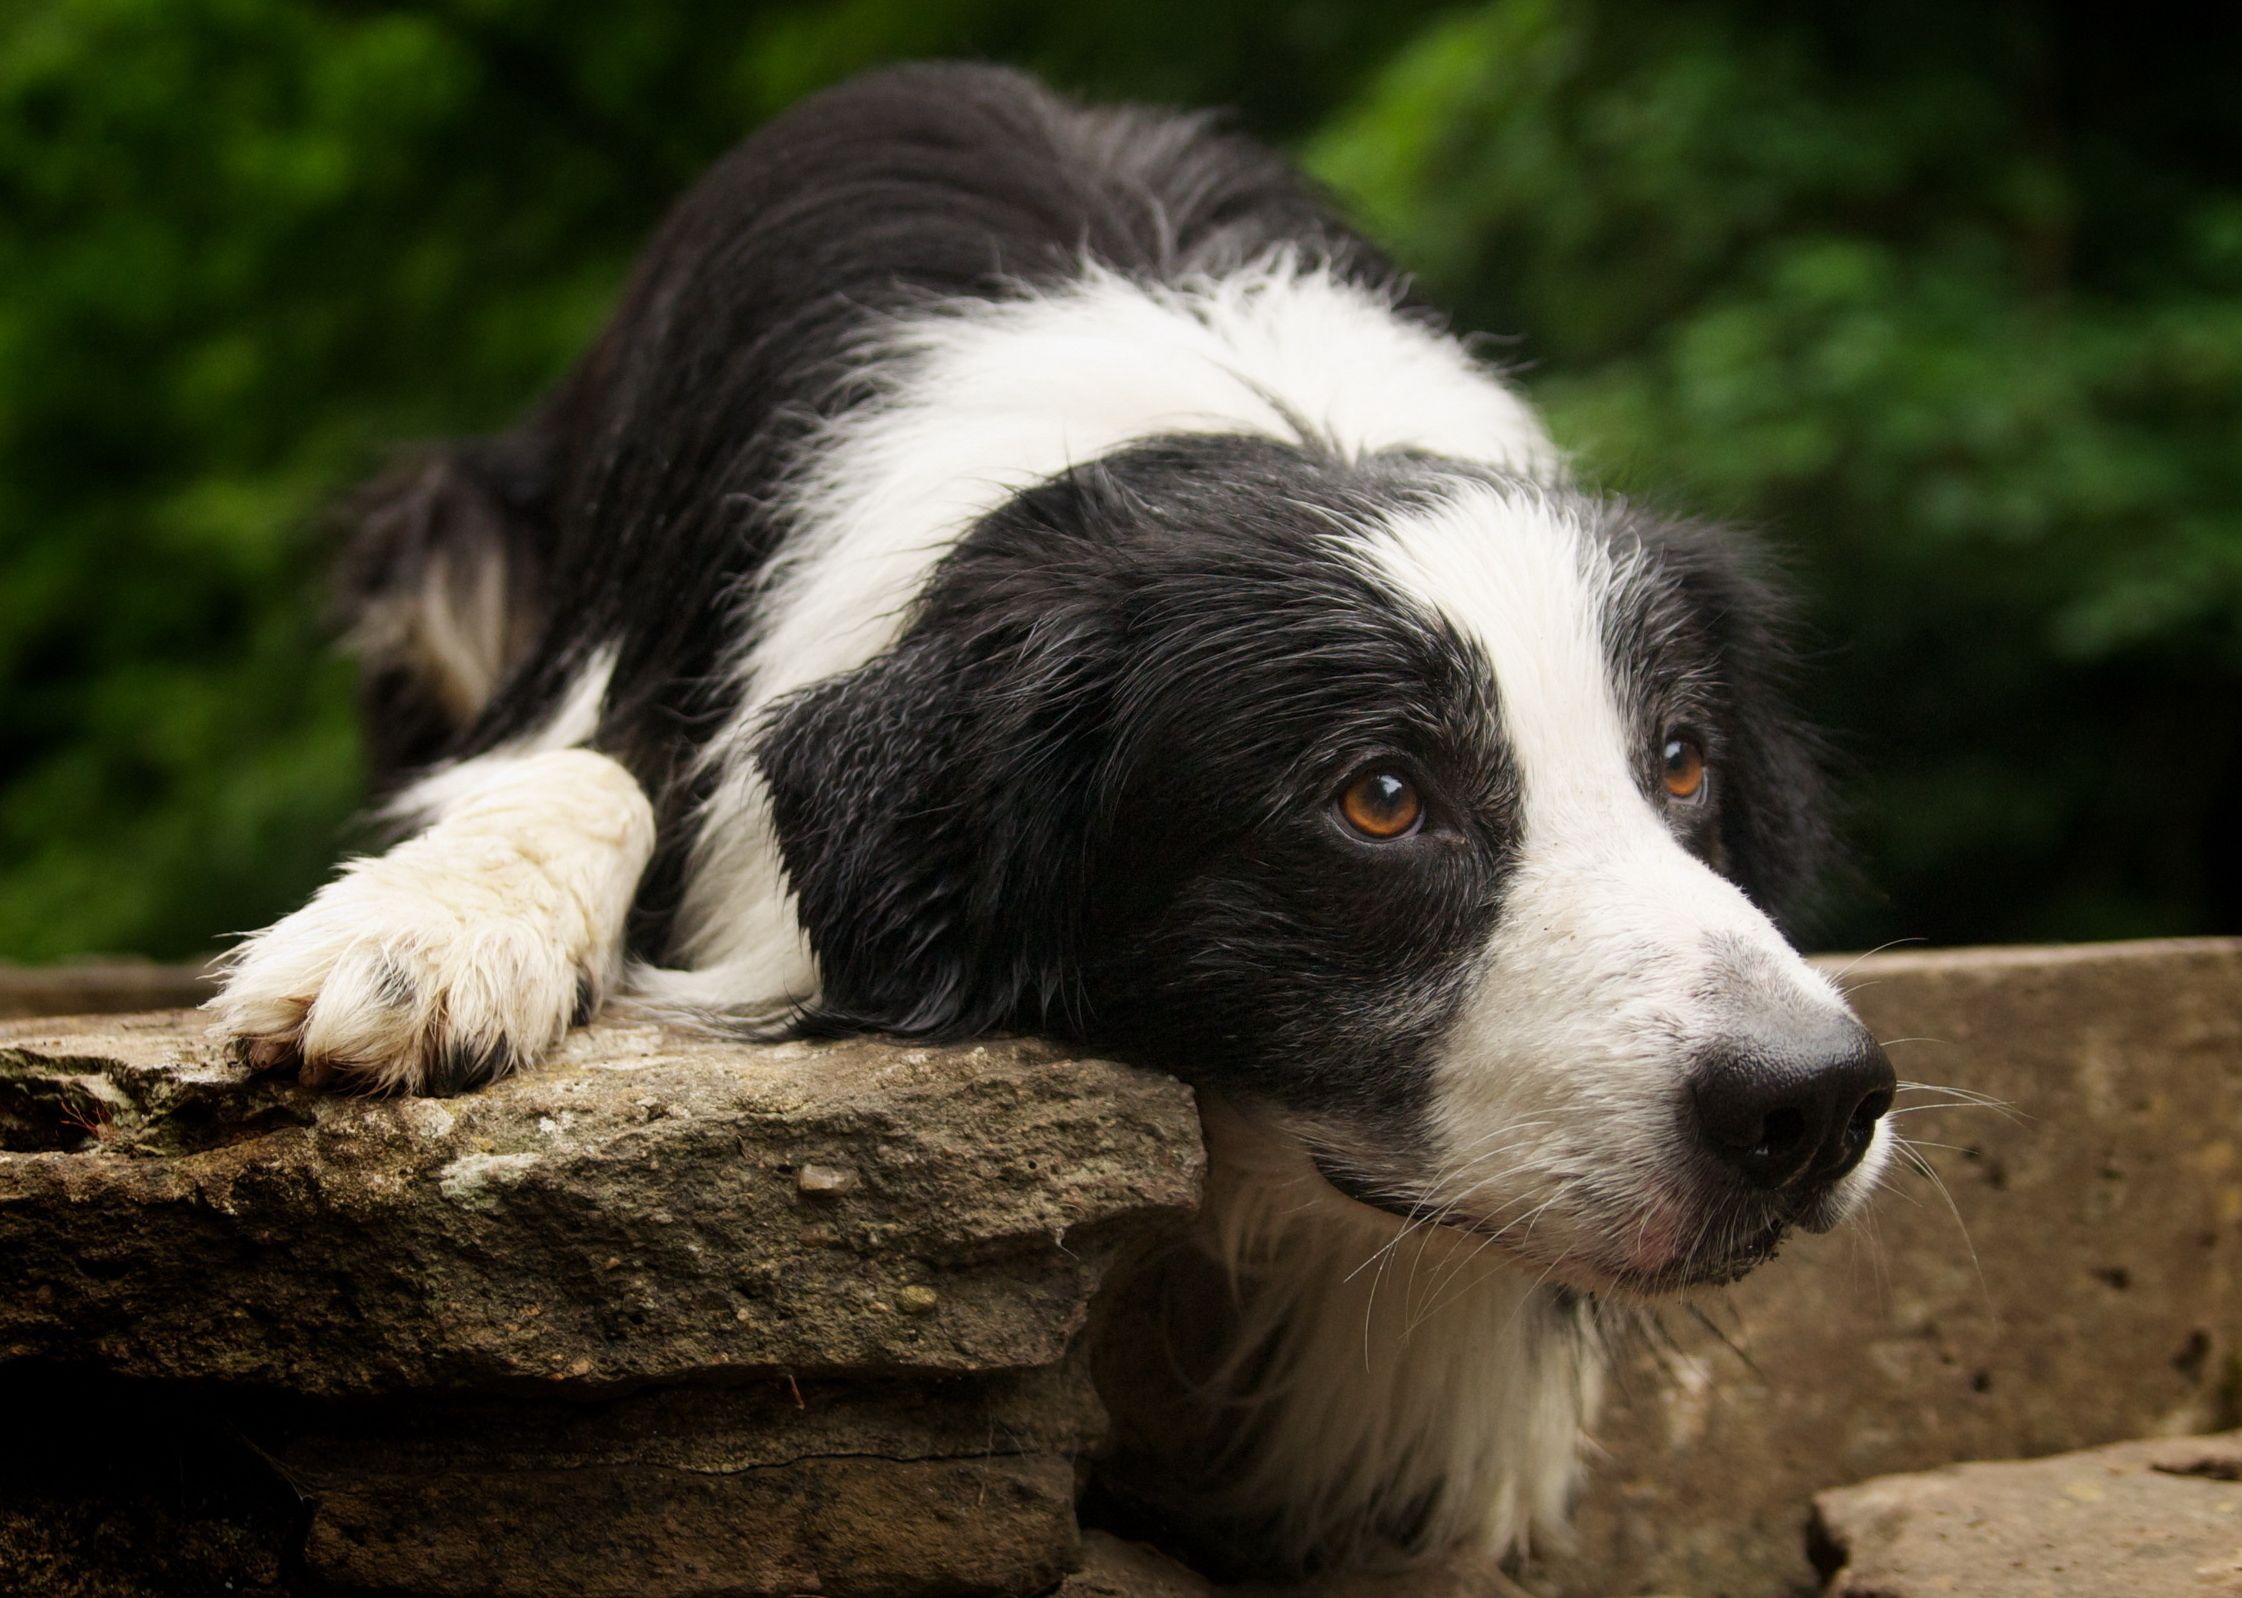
x=990 y=398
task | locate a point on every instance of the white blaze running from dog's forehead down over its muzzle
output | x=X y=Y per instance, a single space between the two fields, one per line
x=1618 y=956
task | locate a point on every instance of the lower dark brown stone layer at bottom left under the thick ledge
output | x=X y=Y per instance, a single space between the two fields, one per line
x=902 y=1487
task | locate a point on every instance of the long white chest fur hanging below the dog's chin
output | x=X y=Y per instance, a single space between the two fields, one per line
x=1380 y=1368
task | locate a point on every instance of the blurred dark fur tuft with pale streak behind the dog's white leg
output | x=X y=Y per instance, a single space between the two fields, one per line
x=445 y=588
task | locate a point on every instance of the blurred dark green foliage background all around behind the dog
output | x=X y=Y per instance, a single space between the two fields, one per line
x=1943 y=299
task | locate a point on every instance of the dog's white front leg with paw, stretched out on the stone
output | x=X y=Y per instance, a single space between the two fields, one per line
x=465 y=951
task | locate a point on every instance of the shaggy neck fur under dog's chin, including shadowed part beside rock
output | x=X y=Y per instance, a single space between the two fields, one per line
x=1358 y=1393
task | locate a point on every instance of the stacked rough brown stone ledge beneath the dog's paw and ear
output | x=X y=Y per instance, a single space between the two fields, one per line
x=665 y=1319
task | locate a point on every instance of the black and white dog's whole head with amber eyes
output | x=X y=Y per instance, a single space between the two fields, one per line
x=1432 y=815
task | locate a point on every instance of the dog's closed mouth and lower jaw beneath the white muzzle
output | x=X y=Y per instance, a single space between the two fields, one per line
x=1714 y=1241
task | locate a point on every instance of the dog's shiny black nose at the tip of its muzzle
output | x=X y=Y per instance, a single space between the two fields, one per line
x=1799 y=1108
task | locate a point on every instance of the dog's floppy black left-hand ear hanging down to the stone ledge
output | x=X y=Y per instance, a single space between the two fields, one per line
x=936 y=810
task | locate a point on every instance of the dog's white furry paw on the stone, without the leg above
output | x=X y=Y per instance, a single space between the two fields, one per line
x=405 y=978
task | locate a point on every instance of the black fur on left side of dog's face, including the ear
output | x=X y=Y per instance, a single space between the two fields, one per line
x=1091 y=792
